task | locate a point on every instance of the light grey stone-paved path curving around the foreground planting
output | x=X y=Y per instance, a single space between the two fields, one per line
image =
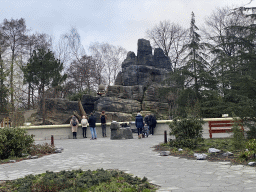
x=136 y=156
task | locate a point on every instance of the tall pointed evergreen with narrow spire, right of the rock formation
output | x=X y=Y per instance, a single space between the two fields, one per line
x=196 y=74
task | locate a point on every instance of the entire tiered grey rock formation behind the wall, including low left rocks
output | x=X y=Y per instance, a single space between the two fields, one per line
x=136 y=88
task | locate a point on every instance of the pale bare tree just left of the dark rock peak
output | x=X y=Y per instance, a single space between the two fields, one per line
x=109 y=58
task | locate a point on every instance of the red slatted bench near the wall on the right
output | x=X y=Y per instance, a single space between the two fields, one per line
x=222 y=126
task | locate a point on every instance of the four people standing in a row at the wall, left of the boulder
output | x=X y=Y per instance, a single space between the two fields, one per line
x=92 y=124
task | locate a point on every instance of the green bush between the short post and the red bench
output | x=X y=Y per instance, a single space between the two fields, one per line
x=188 y=132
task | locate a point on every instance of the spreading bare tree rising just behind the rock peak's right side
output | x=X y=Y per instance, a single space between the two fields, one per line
x=170 y=37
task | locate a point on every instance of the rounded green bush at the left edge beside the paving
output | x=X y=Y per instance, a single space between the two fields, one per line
x=14 y=142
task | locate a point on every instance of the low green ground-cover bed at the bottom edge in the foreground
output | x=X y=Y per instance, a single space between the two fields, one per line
x=78 y=180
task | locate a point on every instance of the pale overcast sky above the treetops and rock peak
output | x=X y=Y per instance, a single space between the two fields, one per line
x=118 y=22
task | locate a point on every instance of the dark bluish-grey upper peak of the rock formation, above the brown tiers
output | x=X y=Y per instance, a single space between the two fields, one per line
x=144 y=68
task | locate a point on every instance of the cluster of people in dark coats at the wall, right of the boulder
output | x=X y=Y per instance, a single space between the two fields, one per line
x=149 y=121
